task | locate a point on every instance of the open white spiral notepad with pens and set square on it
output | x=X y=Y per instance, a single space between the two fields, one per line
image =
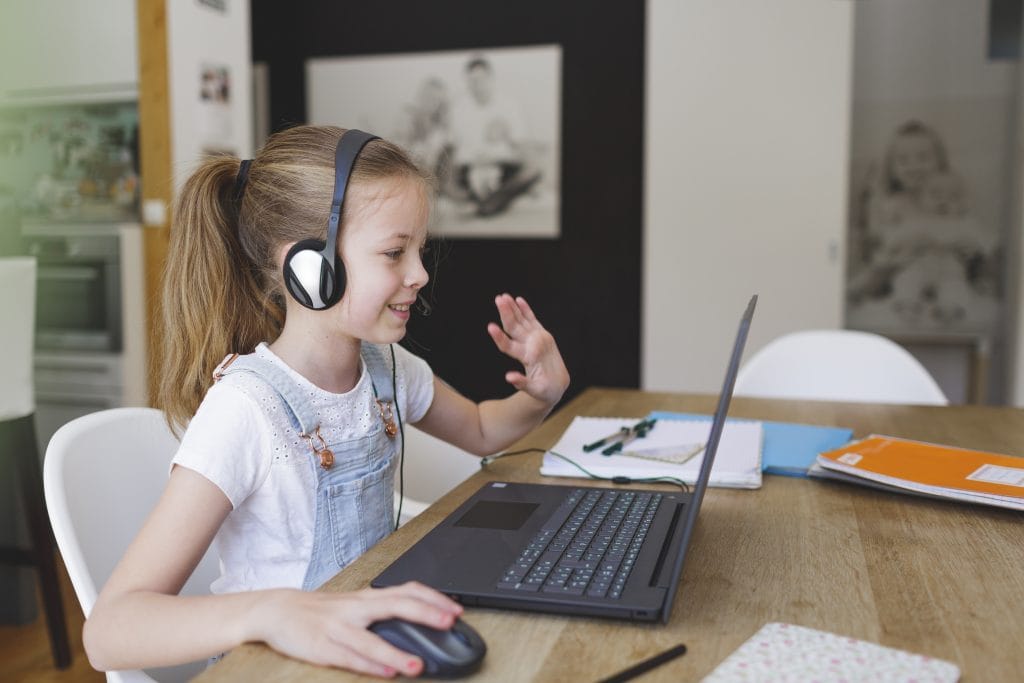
x=738 y=462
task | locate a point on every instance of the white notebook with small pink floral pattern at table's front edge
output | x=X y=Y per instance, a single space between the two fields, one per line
x=784 y=653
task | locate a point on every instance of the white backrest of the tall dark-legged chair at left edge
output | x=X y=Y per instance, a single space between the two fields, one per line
x=18 y=311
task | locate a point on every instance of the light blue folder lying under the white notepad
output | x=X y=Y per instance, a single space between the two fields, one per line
x=789 y=449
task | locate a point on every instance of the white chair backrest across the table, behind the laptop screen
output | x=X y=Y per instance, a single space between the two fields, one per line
x=838 y=365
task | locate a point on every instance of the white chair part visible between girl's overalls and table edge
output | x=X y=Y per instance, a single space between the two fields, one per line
x=433 y=468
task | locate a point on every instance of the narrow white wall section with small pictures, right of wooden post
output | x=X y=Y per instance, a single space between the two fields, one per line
x=199 y=36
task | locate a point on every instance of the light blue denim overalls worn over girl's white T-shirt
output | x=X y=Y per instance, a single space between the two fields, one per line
x=355 y=479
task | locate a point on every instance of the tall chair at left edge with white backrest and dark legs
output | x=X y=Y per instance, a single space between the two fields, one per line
x=18 y=443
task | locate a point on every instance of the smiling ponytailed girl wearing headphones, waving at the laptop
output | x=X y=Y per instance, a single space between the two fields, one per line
x=288 y=462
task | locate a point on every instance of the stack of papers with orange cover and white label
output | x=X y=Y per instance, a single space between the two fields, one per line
x=927 y=469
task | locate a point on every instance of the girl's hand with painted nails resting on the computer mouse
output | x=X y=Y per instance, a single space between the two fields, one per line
x=331 y=629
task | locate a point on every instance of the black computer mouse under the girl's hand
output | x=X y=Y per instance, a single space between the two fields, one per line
x=451 y=654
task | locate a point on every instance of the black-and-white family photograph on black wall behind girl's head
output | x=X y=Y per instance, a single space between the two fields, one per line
x=485 y=123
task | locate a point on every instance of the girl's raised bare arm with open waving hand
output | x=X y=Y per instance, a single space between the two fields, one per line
x=492 y=425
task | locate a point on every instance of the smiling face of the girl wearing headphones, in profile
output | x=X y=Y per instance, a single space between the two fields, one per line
x=381 y=248
